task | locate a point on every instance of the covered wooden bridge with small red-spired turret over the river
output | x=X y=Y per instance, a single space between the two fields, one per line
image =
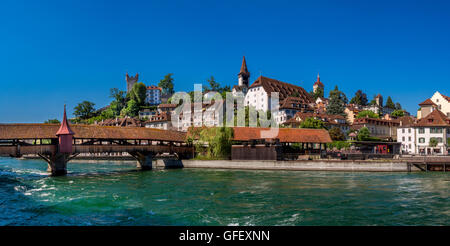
x=58 y=144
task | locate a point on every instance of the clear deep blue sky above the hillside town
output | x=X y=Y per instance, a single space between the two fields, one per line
x=63 y=52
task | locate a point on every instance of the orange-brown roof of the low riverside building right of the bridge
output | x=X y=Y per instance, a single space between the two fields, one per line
x=285 y=135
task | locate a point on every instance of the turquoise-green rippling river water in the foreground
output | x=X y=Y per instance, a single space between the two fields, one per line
x=113 y=193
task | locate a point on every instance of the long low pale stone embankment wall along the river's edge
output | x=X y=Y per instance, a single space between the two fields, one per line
x=303 y=165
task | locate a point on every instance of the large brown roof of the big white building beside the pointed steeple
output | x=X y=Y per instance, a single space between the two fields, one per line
x=284 y=89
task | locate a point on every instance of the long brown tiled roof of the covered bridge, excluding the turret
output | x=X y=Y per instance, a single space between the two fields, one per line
x=48 y=131
